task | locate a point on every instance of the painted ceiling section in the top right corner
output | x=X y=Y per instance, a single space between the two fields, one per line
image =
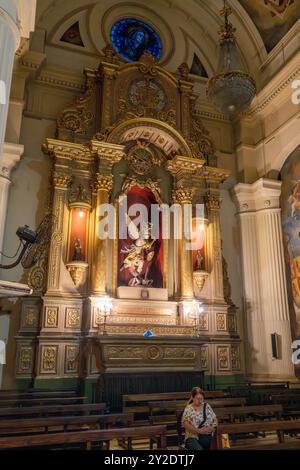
x=273 y=18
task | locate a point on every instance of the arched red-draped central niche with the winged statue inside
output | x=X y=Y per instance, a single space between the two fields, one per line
x=132 y=259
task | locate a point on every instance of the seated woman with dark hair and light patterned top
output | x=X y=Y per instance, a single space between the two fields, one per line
x=199 y=422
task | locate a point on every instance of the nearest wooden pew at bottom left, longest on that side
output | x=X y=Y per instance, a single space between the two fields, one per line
x=86 y=437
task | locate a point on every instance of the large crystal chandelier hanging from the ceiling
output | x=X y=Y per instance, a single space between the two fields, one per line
x=232 y=89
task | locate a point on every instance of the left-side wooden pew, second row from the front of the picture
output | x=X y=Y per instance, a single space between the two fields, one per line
x=65 y=423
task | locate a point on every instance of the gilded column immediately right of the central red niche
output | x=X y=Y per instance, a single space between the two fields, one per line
x=184 y=196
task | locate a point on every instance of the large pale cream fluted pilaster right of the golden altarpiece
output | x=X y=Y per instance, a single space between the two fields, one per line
x=264 y=280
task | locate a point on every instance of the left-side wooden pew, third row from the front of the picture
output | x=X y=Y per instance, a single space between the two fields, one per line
x=52 y=410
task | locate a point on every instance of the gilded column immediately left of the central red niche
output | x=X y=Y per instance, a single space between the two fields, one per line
x=103 y=187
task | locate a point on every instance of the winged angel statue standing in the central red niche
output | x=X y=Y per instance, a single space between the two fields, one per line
x=139 y=255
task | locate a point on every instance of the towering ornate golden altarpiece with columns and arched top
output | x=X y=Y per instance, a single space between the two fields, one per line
x=126 y=105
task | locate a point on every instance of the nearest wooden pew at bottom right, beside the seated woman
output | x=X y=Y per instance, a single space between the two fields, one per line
x=278 y=427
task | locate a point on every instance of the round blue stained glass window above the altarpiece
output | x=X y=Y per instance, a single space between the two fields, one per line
x=132 y=38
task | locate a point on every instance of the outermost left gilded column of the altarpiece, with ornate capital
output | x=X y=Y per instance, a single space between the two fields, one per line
x=61 y=183
